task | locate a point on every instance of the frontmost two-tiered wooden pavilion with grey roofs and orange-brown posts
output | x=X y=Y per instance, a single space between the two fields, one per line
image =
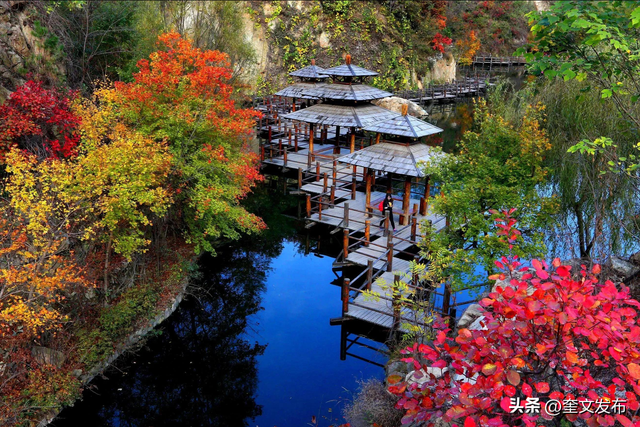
x=397 y=158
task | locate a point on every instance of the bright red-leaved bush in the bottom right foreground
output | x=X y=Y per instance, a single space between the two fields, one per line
x=547 y=333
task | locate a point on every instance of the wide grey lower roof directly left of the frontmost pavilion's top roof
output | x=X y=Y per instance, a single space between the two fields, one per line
x=358 y=116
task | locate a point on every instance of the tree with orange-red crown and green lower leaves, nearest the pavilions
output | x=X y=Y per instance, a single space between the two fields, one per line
x=181 y=94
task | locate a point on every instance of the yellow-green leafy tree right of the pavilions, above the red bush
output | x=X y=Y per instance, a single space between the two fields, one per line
x=499 y=167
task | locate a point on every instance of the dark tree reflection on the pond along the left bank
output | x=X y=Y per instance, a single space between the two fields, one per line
x=201 y=371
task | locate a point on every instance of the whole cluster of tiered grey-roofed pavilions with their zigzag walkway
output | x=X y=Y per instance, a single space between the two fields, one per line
x=345 y=178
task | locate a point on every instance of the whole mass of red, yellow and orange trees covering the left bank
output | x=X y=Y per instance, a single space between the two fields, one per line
x=113 y=189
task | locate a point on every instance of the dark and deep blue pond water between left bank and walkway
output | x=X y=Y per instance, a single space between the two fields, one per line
x=252 y=345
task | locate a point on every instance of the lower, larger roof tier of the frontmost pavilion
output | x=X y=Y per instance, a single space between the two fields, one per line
x=401 y=159
